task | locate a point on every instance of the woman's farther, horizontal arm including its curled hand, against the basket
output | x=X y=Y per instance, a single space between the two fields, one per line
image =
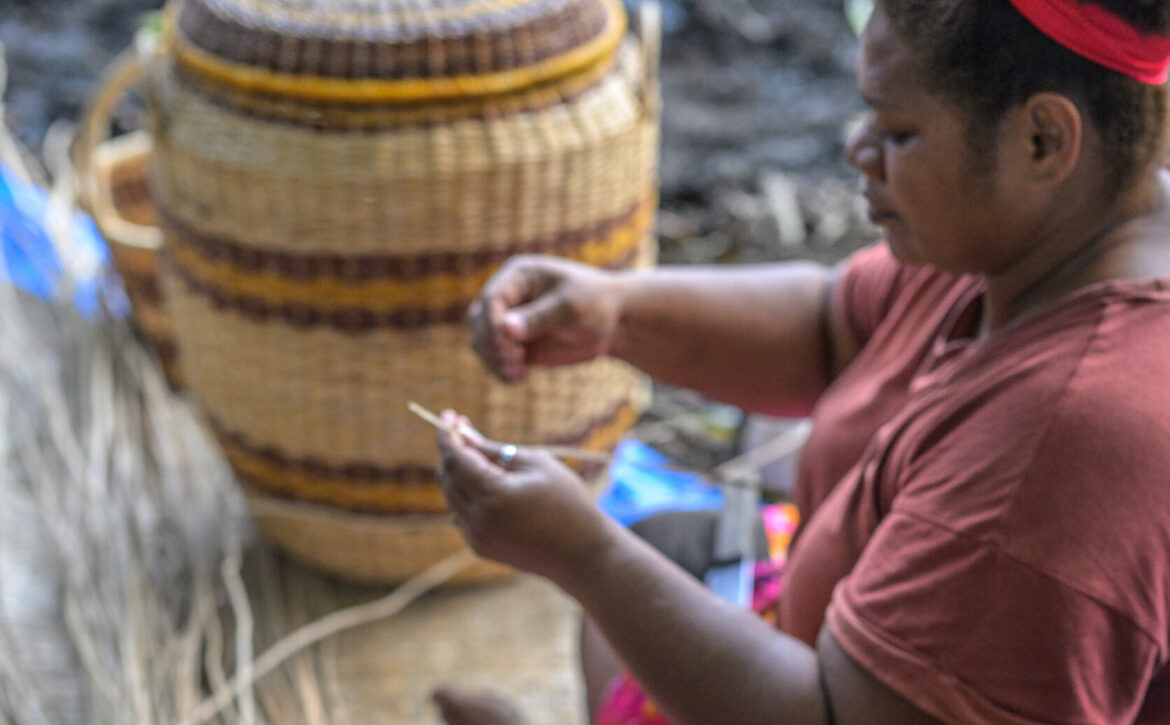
x=766 y=339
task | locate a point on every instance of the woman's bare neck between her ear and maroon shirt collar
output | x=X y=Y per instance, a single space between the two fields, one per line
x=1084 y=245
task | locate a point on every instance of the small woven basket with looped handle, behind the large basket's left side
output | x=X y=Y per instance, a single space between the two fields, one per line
x=112 y=176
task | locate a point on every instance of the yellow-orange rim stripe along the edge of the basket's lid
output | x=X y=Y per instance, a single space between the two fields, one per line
x=368 y=91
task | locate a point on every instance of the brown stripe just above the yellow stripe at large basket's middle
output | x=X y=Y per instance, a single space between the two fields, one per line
x=403 y=268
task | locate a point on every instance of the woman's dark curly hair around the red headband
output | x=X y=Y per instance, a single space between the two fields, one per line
x=988 y=59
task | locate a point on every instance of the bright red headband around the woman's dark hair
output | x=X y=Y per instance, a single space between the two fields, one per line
x=1095 y=33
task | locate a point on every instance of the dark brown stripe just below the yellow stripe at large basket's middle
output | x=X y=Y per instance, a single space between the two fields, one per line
x=352 y=321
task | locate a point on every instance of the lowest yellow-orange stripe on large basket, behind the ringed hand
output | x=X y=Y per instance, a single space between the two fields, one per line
x=286 y=480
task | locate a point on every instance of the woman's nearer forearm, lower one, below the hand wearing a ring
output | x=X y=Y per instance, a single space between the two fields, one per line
x=700 y=659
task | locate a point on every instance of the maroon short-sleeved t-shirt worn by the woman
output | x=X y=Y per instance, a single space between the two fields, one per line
x=988 y=521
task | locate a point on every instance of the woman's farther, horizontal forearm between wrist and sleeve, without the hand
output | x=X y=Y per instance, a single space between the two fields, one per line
x=755 y=336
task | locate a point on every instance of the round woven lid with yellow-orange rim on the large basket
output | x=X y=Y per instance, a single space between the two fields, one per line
x=393 y=51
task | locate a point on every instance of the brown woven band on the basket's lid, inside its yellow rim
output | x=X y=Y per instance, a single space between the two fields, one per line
x=394 y=52
